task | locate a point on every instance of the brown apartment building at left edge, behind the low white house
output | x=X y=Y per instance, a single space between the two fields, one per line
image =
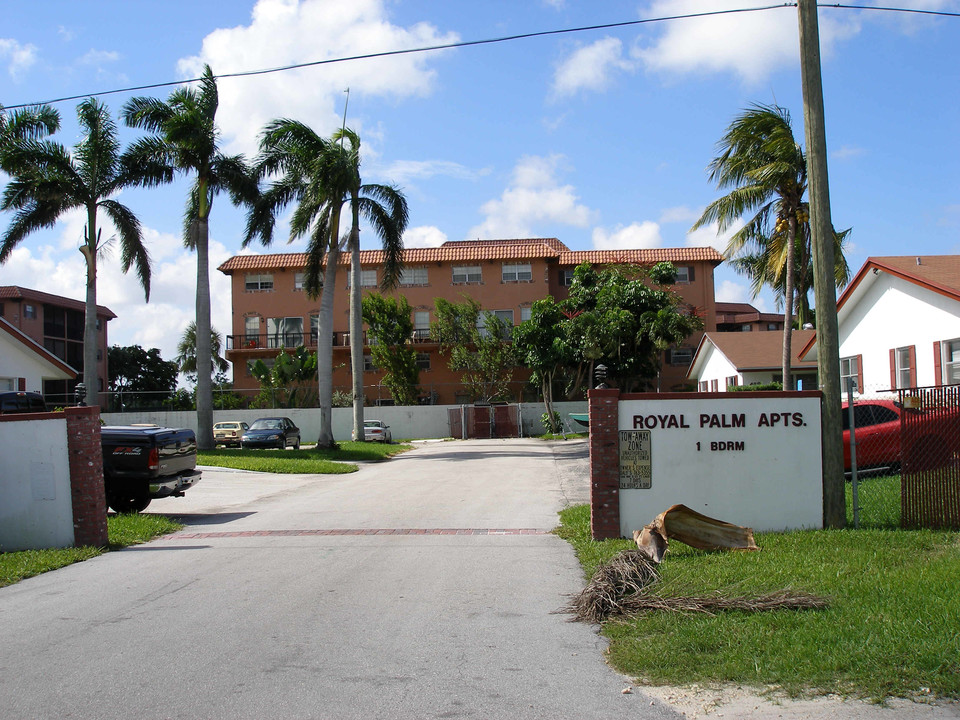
x=56 y=323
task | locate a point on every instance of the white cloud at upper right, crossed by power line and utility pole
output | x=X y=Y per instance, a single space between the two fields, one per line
x=749 y=44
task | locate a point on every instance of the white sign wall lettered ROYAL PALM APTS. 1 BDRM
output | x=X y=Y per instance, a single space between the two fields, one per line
x=755 y=461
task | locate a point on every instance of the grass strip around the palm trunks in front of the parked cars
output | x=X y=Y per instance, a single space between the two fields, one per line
x=306 y=461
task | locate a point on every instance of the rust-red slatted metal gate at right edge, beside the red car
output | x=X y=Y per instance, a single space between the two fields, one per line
x=930 y=457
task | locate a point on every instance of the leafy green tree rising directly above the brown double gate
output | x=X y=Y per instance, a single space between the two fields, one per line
x=478 y=344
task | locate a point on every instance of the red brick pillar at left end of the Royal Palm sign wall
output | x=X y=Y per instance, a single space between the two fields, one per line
x=604 y=464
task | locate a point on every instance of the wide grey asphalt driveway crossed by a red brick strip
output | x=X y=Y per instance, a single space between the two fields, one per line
x=424 y=587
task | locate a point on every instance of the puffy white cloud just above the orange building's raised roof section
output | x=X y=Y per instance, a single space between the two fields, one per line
x=533 y=199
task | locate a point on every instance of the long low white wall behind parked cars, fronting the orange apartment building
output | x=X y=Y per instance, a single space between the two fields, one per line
x=405 y=421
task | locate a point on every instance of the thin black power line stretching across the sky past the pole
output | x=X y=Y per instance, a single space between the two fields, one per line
x=472 y=43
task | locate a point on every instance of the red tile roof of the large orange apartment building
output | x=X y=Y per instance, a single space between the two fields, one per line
x=478 y=250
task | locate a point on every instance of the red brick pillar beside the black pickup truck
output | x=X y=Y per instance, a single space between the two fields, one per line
x=86 y=476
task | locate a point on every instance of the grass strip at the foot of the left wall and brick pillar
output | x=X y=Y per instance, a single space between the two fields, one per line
x=122 y=530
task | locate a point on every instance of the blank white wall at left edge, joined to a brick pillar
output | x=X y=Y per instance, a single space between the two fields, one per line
x=36 y=508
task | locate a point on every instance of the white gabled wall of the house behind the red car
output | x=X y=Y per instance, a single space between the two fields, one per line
x=894 y=313
